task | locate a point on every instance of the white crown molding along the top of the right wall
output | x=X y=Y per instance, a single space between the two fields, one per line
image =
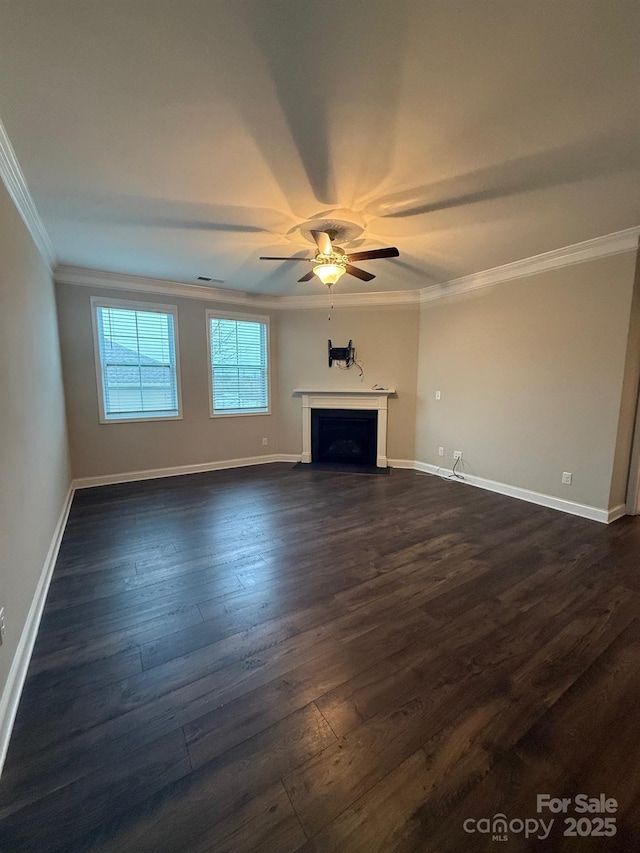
x=589 y=250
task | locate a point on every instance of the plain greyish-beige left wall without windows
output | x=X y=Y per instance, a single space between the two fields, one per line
x=34 y=465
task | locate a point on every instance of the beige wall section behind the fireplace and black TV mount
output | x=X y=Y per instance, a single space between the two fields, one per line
x=386 y=342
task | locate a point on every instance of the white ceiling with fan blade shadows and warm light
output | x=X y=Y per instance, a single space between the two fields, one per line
x=176 y=139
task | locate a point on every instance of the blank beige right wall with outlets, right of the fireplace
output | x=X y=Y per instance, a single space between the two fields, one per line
x=531 y=375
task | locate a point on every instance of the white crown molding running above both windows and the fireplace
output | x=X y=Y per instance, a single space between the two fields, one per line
x=140 y=284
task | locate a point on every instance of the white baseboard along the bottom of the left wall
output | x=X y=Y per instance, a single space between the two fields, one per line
x=17 y=674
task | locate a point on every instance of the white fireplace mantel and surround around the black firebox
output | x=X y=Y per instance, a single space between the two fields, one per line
x=352 y=398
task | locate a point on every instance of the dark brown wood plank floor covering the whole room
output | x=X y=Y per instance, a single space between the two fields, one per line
x=278 y=660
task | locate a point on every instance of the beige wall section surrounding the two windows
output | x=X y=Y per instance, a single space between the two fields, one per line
x=117 y=448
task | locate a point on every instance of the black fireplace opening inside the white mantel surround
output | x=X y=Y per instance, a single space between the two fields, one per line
x=344 y=436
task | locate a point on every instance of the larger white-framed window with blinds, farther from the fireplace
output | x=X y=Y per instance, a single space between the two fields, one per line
x=136 y=360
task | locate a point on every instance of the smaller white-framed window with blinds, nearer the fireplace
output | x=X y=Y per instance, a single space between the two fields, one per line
x=239 y=378
